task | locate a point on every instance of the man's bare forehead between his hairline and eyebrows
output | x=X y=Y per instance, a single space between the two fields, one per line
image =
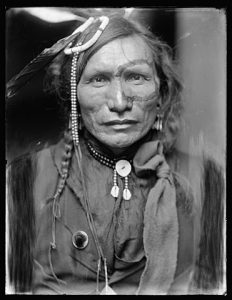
x=121 y=52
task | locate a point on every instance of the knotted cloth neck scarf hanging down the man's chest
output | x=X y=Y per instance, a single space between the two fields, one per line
x=160 y=234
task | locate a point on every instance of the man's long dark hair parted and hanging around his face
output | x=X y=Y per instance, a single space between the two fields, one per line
x=58 y=74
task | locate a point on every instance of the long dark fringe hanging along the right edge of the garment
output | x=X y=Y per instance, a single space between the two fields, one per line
x=208 y=276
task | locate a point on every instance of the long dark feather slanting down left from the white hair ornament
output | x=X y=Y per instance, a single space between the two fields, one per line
x=36 y=65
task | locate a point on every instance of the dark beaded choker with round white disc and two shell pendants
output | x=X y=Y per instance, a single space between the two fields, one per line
x=121 y=167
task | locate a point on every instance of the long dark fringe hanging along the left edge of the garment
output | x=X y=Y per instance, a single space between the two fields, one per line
x=21 y=218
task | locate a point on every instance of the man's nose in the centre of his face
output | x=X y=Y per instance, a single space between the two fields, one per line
x=117 y=100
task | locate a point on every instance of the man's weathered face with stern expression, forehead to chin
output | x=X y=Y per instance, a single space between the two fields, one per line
x=117 y=93
